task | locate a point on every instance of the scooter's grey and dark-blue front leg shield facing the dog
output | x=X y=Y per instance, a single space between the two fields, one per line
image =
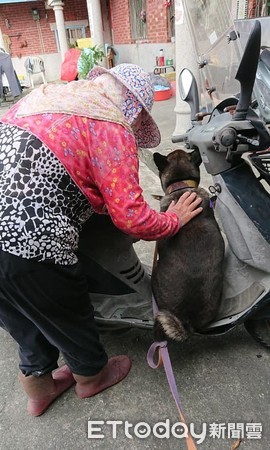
x=243 y=210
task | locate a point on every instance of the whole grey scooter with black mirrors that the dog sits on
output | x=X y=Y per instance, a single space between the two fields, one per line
x=121 y=285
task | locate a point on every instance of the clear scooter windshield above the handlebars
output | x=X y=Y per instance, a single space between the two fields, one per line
x=217 y=46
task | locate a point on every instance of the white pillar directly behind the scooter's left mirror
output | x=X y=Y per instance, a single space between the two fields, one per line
x=185 y=57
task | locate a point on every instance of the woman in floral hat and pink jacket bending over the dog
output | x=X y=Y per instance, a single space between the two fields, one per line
x=67 y=151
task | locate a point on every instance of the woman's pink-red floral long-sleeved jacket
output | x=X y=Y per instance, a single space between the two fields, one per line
x=102 y=159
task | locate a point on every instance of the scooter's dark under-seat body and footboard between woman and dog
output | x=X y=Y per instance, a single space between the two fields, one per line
x=119 y=285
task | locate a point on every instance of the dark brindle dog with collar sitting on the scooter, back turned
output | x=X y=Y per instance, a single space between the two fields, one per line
x=187 y=279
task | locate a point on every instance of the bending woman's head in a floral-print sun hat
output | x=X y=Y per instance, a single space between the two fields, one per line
x=130 y=87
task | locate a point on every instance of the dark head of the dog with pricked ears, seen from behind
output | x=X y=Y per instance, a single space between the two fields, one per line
x=178 y=166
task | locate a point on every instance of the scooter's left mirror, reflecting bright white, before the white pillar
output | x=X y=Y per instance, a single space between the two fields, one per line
x=189 y=91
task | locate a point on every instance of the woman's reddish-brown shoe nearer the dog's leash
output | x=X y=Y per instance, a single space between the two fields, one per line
x=115 y=371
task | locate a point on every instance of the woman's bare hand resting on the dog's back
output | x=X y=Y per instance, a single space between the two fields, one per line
x=186 y=207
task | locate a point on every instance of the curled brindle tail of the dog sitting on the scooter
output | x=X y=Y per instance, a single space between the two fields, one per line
x=172 y=326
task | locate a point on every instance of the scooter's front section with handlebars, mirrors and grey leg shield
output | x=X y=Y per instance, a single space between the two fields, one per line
x=242 y=198
